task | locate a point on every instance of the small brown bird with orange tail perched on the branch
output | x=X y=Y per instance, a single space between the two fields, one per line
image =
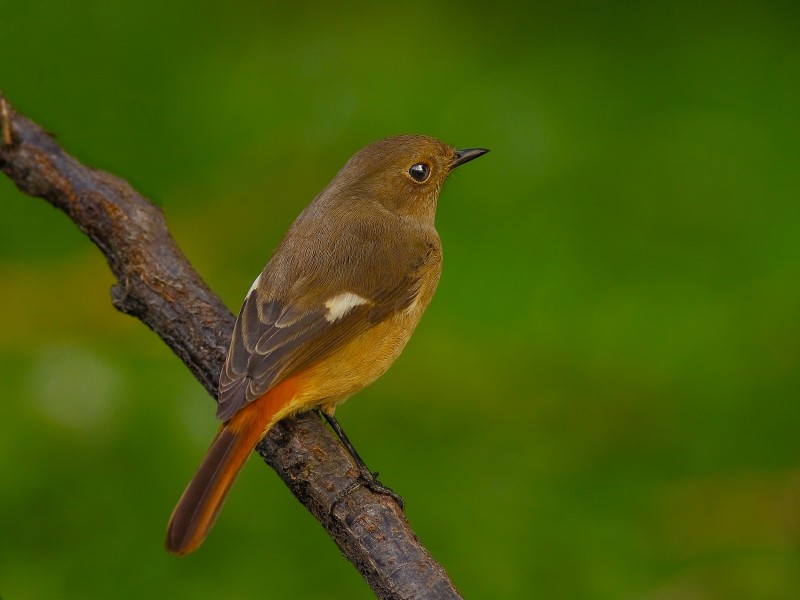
x=330 y=312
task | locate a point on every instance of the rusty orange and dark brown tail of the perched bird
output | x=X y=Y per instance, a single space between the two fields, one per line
x=200 y=503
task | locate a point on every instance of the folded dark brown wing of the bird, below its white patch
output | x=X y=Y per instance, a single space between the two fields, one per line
x=271 y=341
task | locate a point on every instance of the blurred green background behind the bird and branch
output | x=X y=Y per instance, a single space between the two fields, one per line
x=602 y=400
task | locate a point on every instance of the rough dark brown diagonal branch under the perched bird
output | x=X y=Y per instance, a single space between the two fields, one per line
x=156 y=284
